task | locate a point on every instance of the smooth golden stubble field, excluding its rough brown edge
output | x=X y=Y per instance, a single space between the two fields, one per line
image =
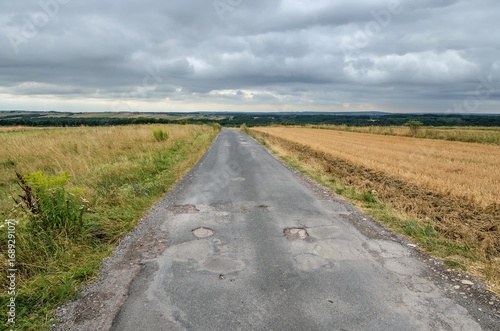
x=464 y=169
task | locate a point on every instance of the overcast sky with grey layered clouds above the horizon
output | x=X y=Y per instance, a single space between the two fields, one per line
x=250 y=55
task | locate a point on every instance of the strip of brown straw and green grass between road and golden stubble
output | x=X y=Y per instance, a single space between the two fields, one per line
x=466 y=241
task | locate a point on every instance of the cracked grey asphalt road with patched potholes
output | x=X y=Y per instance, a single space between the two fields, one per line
x=252 y=274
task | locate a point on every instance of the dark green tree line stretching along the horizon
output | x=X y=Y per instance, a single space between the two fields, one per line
x=250 y=120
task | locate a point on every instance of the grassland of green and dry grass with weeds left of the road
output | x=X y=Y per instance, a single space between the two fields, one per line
x=73 y=193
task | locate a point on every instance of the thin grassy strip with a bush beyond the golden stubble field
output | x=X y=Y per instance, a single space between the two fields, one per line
x=482 y=135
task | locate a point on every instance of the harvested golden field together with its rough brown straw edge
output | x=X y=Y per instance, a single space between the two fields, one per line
x=452 y=188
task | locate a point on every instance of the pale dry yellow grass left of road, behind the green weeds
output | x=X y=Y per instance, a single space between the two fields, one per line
x=78 y=151
